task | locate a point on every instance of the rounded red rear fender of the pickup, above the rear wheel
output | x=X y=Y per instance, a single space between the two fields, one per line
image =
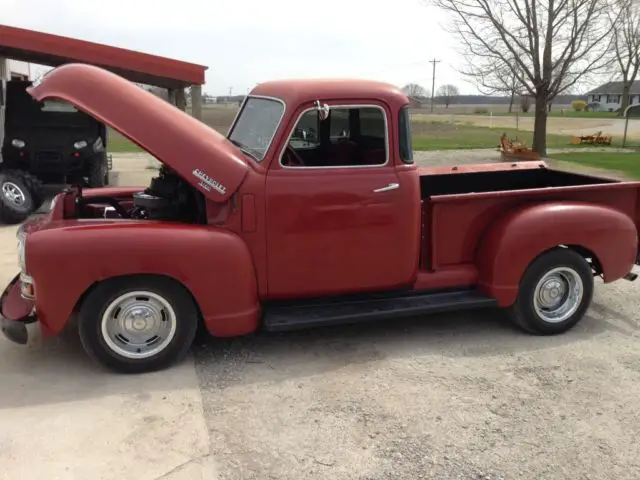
x=512 y=242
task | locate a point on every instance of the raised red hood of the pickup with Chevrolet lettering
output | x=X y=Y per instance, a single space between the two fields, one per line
x=196 y=152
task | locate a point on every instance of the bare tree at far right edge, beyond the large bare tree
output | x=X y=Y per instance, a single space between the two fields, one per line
x=626 y=44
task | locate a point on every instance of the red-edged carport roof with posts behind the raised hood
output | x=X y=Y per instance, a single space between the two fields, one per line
x=54 y=50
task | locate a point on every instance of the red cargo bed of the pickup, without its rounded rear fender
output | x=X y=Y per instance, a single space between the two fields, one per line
x=459 y=203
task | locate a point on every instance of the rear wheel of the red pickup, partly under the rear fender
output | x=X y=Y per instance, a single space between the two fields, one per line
x=555 y=293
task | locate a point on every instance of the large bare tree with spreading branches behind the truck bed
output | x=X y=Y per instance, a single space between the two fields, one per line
x=548 y=45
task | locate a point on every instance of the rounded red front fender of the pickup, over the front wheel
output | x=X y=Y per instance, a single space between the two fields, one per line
x=214 y=265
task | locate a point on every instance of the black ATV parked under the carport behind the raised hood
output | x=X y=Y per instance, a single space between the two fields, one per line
x=47 y=142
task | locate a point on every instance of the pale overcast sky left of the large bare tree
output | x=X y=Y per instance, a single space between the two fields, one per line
x=244 y=42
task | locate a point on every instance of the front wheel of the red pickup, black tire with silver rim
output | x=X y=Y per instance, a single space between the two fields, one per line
x=138 y=324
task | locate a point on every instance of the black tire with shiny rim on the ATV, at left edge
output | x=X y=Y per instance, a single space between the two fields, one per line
x=20 y=195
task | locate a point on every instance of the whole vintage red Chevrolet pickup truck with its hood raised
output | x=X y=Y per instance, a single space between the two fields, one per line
x=311 y=211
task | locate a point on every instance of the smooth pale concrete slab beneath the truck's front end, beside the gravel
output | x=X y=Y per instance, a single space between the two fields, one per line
x=61 y=417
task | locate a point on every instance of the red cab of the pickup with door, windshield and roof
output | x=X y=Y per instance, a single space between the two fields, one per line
x=343 y=202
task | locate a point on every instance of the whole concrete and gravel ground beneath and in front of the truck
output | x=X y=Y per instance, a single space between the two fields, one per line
x=462 y=396
